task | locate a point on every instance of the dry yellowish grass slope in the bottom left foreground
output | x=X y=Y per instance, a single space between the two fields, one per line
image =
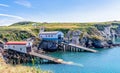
x=5 y=68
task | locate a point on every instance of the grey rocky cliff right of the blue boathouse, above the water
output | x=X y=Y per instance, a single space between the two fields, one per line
x=99 y=37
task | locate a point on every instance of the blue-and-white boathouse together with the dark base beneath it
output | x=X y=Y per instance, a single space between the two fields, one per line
x=50 y=40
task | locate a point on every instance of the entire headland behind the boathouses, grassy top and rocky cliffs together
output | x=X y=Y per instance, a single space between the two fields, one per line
x=97 y=35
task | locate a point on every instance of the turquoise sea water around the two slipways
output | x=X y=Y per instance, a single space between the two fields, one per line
x=105 y=61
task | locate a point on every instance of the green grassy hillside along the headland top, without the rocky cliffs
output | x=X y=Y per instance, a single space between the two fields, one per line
x=22 y=30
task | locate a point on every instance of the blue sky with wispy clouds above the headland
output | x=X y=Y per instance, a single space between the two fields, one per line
x=12 y=11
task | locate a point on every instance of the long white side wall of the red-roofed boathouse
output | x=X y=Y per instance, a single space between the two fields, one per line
x=20 y=48
